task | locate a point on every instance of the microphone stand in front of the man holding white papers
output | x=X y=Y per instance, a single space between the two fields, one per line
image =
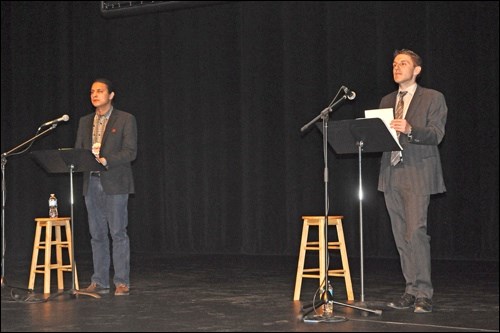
x=326 y=296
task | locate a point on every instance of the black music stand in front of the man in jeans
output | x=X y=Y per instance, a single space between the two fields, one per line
x=69 y=160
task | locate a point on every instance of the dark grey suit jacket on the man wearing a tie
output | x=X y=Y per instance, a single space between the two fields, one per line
x=426 y=114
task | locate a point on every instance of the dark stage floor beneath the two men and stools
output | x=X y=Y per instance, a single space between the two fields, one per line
x=248 y=293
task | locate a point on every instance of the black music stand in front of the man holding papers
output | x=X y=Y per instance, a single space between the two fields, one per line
x=367 y=135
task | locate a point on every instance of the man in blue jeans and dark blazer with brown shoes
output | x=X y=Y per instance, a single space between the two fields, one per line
x=111 y=134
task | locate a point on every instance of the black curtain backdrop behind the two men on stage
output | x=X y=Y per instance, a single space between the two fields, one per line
x=221 y=92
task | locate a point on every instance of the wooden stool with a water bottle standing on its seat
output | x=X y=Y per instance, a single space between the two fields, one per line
x=46 y=267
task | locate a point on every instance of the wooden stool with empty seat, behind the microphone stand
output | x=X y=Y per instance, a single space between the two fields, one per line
x=319 y=273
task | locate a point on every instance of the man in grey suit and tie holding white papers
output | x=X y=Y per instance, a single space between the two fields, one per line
x=408 y=178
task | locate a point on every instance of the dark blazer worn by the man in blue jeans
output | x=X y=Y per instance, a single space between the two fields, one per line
x=118 y=146
